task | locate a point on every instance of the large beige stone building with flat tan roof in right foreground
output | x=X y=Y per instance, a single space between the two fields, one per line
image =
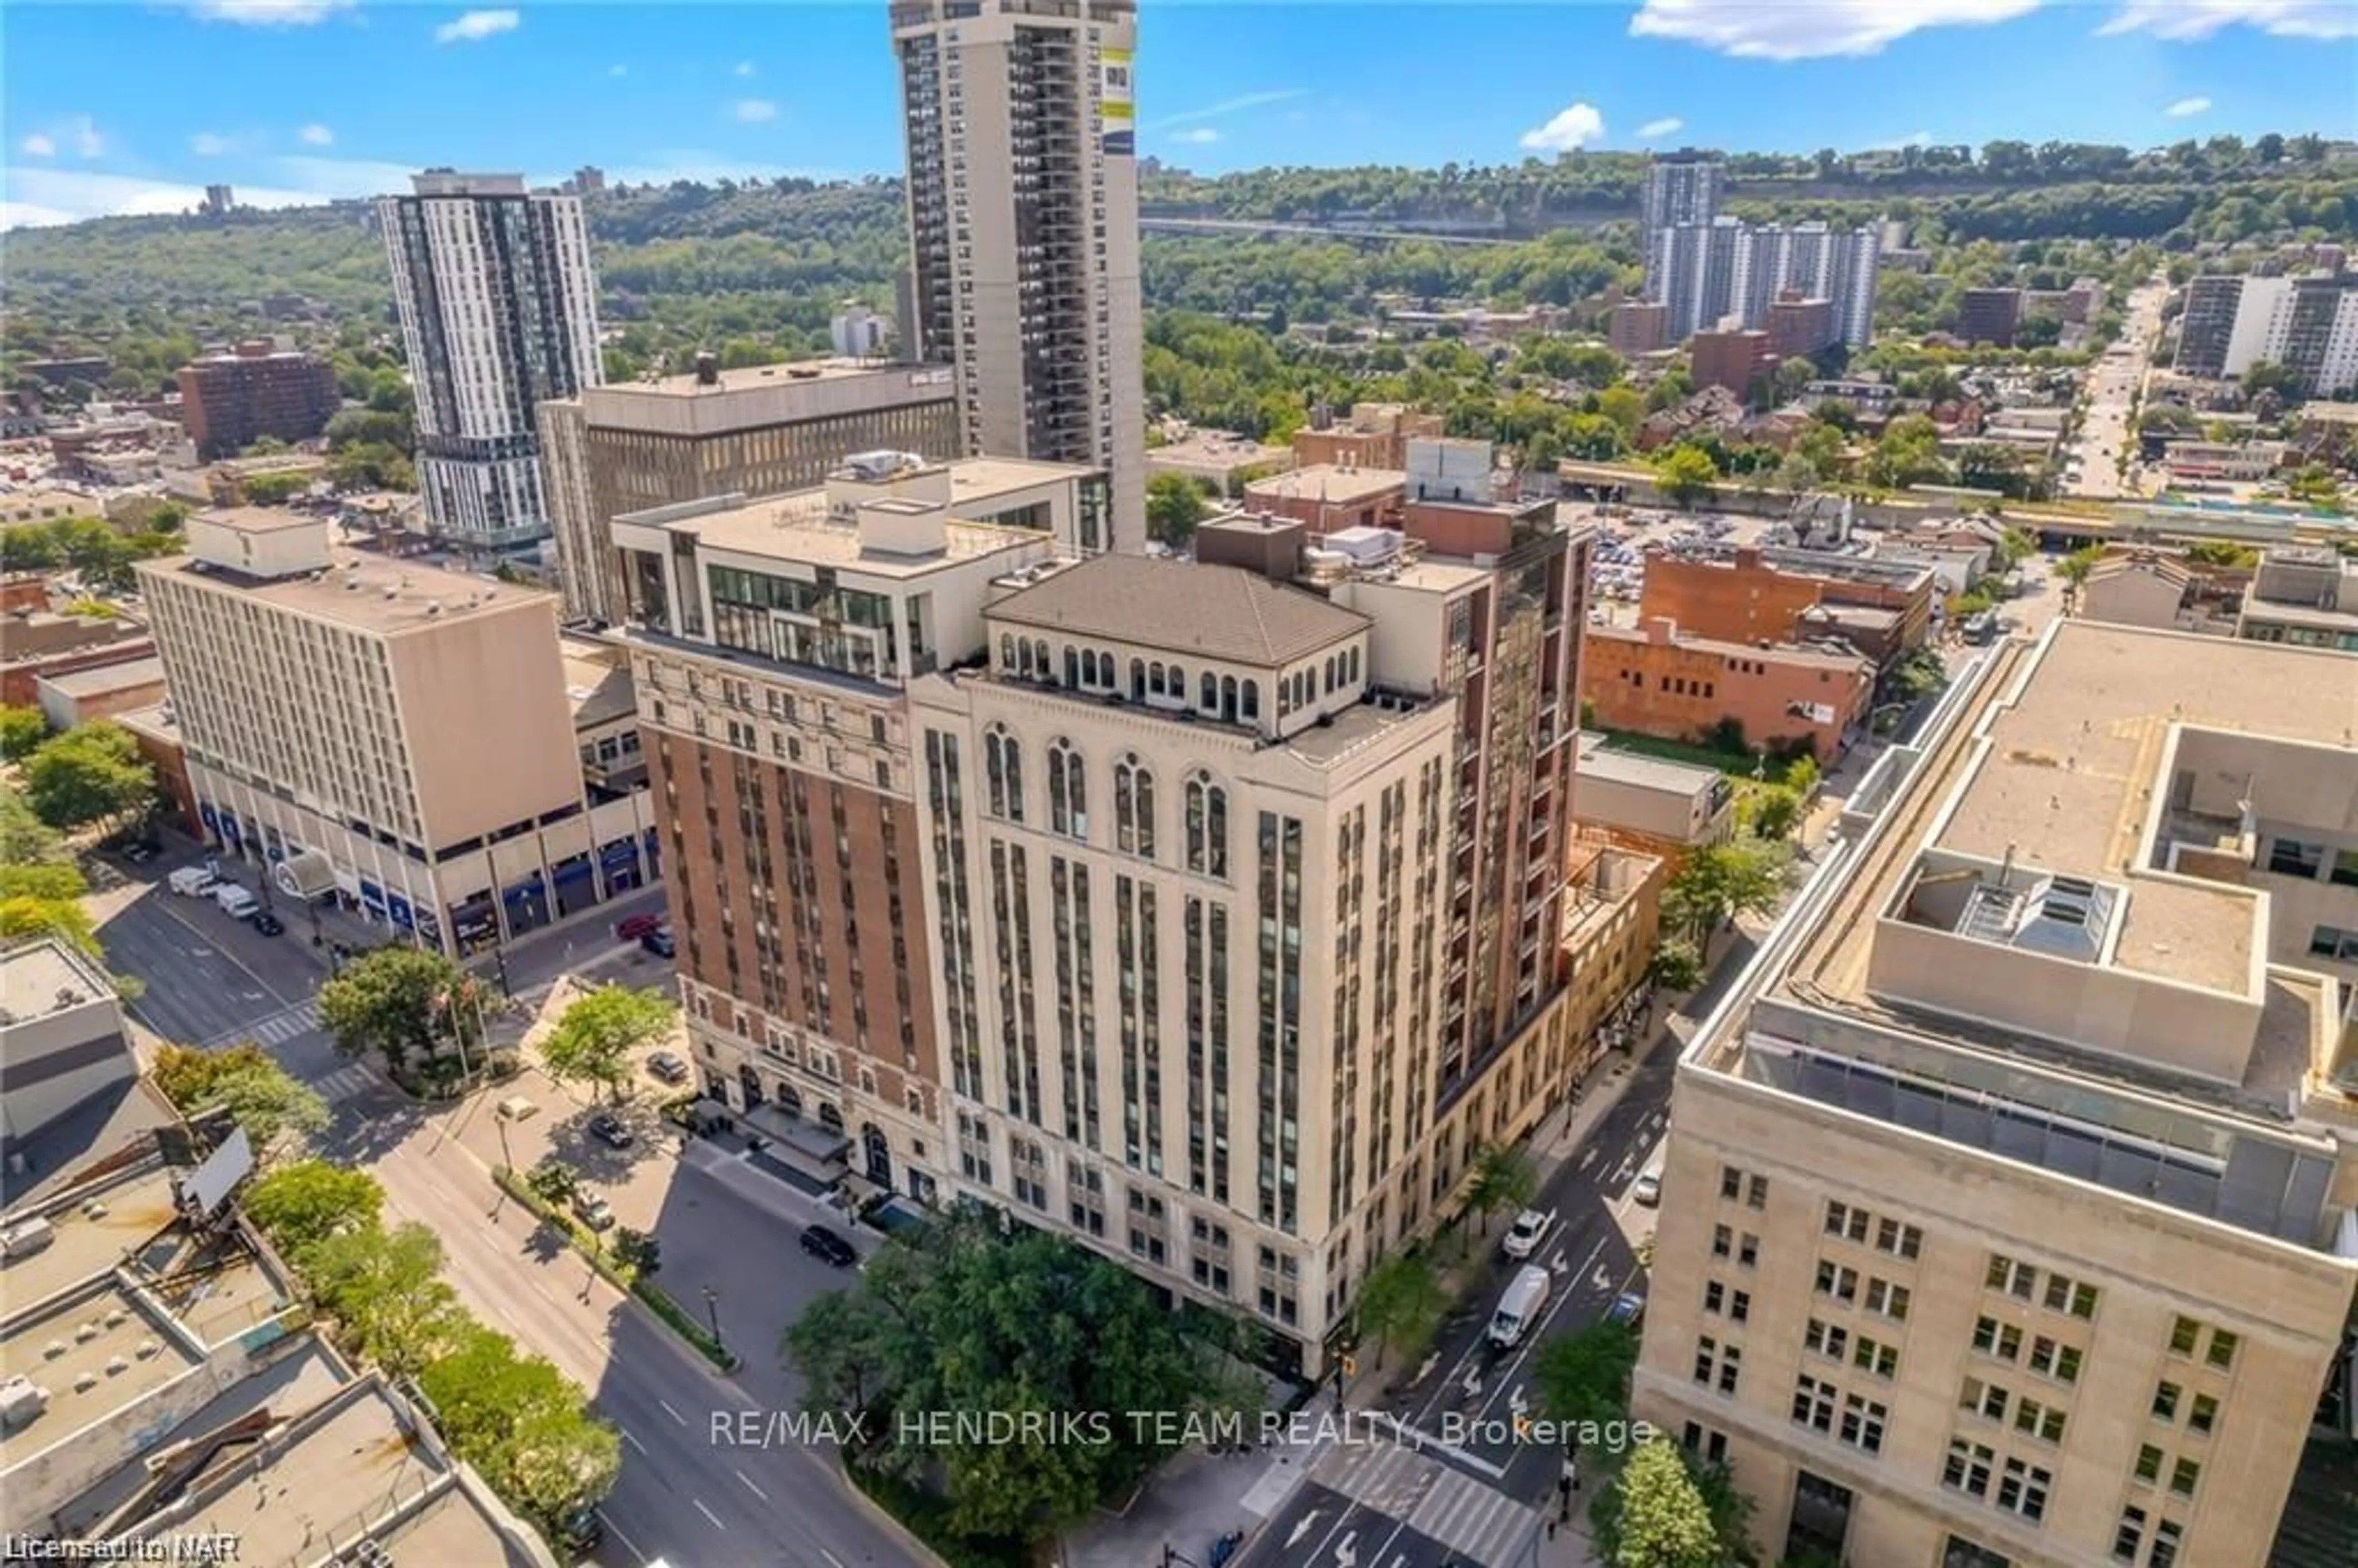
x=2008 y=1211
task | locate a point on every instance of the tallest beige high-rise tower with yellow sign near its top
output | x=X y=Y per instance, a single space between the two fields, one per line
x=1025 y=230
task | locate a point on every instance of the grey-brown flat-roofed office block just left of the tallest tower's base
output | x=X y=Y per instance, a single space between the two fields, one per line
x=760 y=430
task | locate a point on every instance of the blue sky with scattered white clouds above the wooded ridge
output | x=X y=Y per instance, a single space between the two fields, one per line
x=131 y=107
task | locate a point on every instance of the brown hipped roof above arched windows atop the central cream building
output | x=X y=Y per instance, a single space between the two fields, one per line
x=1220 y=612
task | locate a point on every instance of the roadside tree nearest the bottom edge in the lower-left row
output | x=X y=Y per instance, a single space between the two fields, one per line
x=520 y=1423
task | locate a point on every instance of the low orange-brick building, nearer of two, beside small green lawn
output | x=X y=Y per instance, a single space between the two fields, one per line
x=1668 y=683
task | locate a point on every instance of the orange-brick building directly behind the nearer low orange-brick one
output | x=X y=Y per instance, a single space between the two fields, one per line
x=1763 y=595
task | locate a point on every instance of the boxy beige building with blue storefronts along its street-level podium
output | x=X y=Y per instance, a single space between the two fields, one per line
x=397 y=732
